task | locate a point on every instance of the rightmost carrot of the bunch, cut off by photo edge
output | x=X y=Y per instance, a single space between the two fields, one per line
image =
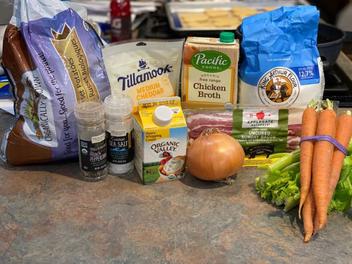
x=343 y=136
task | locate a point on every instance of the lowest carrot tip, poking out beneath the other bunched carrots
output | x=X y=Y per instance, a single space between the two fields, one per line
x=308 y=216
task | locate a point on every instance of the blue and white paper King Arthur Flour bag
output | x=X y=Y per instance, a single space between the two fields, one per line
x=280 y=64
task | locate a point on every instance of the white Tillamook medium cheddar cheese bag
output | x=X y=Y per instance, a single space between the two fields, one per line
x=144 y=69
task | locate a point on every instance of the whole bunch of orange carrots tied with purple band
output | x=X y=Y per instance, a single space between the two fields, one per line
x=320 y=163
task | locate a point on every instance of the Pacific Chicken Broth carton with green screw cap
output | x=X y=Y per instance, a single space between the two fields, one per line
x=210 y=68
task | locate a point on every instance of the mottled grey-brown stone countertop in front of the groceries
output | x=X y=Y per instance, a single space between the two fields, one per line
x=48 y=215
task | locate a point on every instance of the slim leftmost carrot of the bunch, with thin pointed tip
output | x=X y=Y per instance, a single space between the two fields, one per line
x=309 y=126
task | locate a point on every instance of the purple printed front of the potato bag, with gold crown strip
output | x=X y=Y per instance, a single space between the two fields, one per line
x=69 y=68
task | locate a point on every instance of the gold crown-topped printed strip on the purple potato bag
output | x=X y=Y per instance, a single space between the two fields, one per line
x=69 y=48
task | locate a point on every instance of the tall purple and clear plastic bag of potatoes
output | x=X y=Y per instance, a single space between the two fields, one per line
x=54 y=59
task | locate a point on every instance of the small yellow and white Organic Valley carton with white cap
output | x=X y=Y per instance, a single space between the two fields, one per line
x=160 y=140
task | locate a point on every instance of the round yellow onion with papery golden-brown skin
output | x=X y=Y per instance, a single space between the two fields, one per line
x=214 y=156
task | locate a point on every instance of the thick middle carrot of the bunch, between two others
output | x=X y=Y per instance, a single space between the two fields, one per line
x=322 y=164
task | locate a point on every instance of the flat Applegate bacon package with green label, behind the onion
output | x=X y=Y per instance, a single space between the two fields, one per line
x=260 y=131
